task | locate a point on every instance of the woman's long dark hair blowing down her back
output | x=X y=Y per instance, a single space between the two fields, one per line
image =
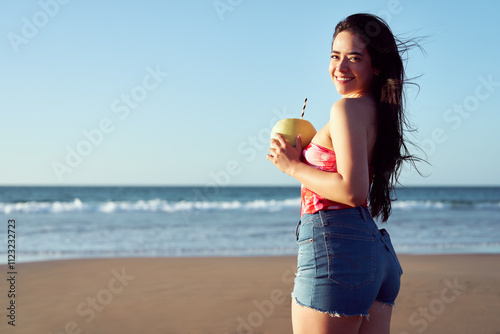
x=390 y=150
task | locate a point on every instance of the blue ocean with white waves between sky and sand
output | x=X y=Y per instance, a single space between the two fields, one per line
x=96 y=222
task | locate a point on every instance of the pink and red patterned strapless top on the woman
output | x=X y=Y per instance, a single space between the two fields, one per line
x=324 y=159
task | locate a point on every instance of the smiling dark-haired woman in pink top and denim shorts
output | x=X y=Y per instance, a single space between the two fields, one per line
x=348 y=275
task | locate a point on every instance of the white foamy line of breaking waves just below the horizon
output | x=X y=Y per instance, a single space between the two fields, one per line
x=161 y=205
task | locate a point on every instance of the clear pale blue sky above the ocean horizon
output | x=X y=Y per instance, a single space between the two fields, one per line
x=185 y=92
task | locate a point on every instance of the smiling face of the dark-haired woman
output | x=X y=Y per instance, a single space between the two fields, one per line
x=350 y=67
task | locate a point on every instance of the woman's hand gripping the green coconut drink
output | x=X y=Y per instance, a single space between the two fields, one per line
x=285 y=156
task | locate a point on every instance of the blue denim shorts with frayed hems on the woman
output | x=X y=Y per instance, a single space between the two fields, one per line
x=345 y=263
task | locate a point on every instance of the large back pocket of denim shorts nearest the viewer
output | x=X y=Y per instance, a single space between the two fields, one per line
x=351 y=259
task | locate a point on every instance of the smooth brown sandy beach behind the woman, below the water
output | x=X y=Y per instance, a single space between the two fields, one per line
x=439 y=294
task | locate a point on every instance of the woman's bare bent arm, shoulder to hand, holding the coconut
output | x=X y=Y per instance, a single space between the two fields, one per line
x=350 y=123
